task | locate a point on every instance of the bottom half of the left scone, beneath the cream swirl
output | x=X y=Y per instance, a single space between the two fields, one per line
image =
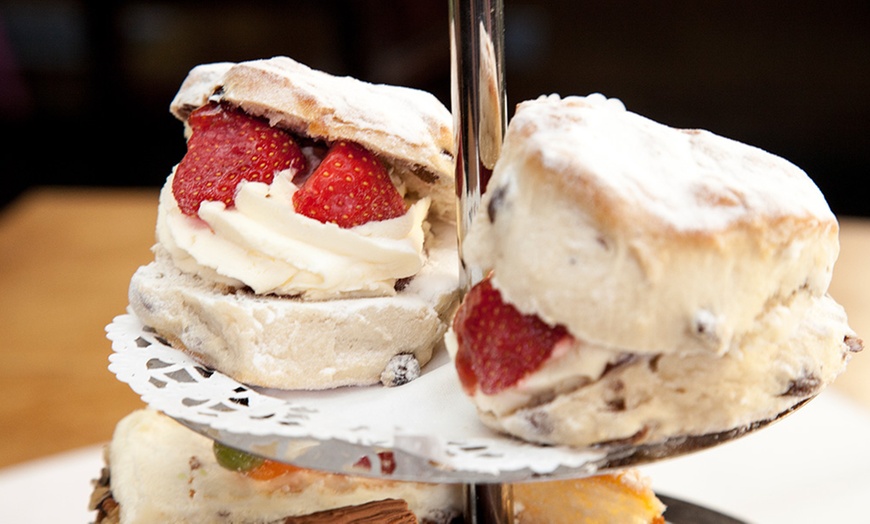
x=284 y=343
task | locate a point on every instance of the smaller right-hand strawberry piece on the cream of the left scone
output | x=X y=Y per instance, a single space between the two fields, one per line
x=350 y=187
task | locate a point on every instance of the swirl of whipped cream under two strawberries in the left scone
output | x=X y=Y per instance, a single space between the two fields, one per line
x=264 y=244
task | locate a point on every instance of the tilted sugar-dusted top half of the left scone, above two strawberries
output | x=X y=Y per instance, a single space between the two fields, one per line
x=409 y=130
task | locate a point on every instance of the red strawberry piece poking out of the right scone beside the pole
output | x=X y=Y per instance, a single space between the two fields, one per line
x=498 y=345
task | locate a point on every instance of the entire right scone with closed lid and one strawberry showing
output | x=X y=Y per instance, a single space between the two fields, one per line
x=644 y=283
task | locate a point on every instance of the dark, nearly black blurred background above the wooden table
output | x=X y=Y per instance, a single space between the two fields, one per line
x=85 y=86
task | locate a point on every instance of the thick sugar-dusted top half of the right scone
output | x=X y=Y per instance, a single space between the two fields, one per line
x=638 y=236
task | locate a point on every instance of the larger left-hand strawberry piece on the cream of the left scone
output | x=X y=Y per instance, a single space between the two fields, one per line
x=227 y=146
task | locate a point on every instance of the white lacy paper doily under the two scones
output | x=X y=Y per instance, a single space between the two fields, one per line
x=430 y=428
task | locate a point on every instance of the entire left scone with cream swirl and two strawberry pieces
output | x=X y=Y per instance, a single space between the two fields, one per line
x=306 y=240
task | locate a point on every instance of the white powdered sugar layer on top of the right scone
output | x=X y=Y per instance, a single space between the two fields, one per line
x=689 y=179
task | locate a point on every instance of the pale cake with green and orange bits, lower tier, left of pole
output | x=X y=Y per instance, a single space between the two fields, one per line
x=160 y=471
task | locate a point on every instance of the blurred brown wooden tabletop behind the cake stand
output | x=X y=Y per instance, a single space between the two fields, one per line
x=67 y=257
